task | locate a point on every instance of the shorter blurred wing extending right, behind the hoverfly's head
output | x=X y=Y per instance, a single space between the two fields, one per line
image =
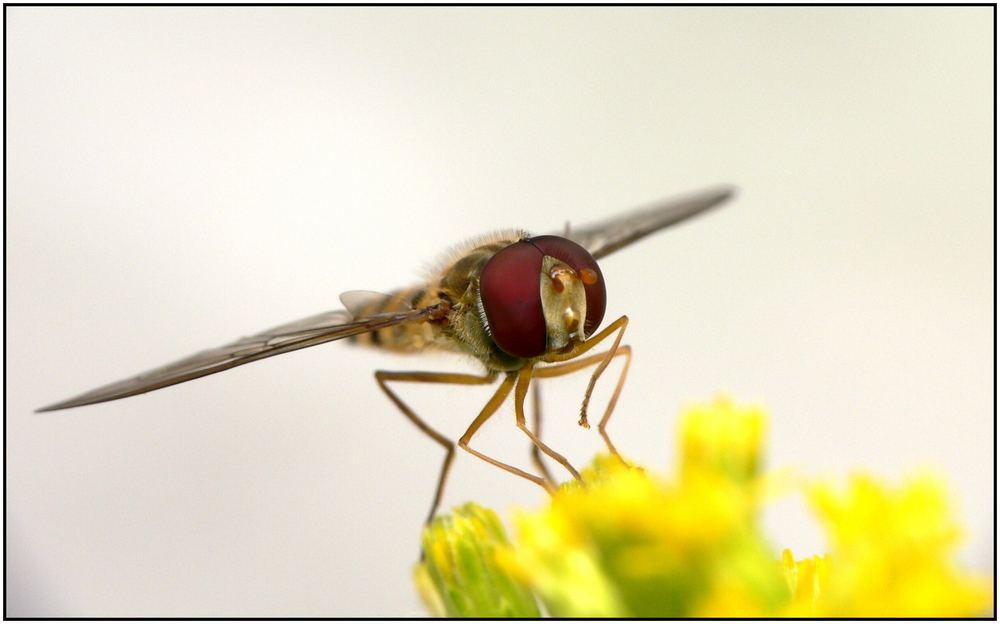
x=602 y=238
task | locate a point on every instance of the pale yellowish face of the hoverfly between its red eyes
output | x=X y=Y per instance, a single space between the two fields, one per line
x=564 y=304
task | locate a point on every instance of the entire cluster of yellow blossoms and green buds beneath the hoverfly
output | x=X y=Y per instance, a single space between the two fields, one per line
x=626 y=543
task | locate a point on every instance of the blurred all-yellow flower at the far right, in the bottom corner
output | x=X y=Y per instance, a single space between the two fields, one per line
x=892 y=553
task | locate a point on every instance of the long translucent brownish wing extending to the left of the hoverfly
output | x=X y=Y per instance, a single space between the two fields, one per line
x=300 y=334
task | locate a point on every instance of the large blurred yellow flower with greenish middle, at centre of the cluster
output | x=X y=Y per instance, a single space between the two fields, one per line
x=627 y=544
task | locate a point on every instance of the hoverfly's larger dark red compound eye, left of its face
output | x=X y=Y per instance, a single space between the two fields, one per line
x=512 y=300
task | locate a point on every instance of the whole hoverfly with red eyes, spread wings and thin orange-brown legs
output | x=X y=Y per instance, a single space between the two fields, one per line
x=527 y=307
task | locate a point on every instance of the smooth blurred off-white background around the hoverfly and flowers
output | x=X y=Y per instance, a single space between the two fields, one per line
x=178 y=177
